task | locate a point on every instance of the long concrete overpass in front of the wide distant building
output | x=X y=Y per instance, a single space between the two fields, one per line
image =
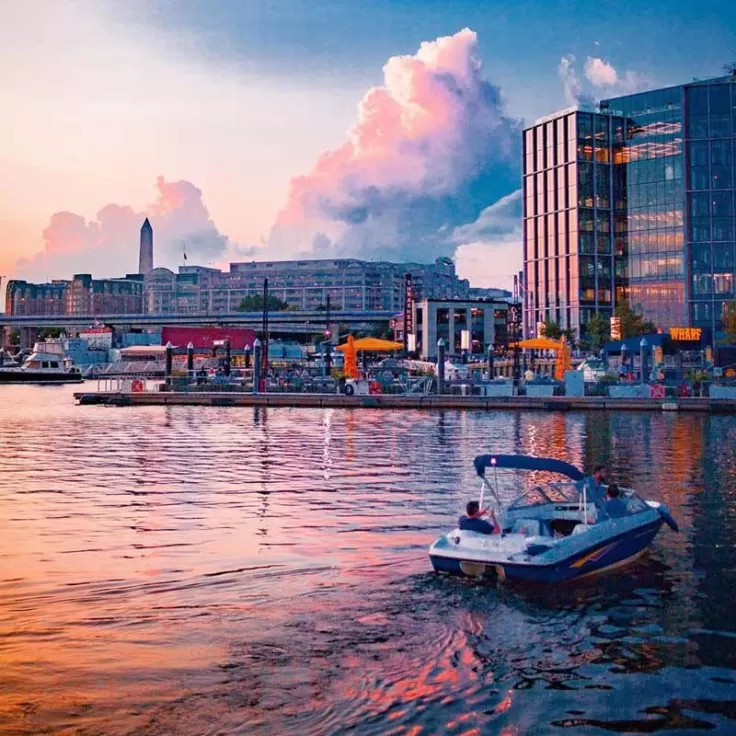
x=278 y=322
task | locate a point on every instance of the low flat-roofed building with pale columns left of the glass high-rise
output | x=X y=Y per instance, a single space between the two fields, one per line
x=466 y=325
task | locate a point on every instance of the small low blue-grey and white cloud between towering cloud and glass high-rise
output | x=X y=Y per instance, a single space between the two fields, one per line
x=489 y=250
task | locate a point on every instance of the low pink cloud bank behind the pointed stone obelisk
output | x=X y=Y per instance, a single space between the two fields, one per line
x=108 y=245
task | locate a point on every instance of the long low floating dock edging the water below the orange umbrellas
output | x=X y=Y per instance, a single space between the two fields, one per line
x=400 y=401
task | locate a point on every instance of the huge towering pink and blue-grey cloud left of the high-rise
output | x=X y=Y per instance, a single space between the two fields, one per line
x=429 y=150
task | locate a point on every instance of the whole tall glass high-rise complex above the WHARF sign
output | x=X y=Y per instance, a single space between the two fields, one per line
x=633 y=201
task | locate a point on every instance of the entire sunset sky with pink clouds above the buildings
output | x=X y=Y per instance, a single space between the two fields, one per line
x=250 y=129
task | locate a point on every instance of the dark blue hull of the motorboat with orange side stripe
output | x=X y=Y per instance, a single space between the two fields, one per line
x=598 y=558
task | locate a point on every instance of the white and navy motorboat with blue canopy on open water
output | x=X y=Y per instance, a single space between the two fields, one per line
x=552 y=532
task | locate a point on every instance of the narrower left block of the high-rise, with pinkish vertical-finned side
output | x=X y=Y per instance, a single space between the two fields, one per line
x=573 y=198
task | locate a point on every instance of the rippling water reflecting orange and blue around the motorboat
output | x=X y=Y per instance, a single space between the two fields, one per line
x=214 y=570
